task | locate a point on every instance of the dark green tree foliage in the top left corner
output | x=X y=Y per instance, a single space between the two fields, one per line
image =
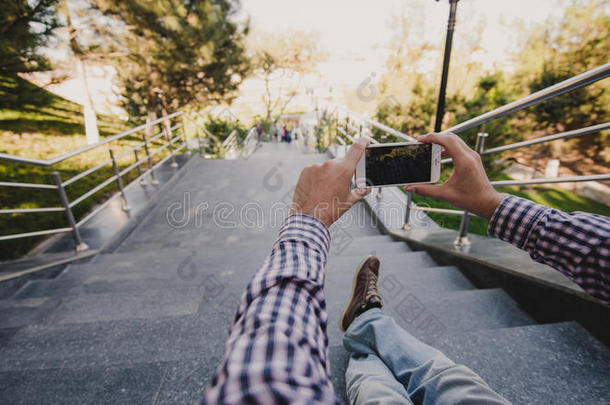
x=25 y=26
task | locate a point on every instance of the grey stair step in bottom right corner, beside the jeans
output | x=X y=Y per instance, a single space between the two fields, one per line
x=559 y=363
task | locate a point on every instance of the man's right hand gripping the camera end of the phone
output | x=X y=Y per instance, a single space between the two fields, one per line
x=468 y=187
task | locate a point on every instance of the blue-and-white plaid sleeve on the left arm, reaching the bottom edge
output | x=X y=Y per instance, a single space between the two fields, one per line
x=277 y=351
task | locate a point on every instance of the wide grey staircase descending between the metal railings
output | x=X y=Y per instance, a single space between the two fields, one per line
x=147 y=323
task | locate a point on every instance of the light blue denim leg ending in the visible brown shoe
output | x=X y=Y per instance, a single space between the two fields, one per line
x=428 y=376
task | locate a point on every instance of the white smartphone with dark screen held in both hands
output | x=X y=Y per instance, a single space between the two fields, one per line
x=396 y=164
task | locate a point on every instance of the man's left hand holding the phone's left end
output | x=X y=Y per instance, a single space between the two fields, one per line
x=323 y=191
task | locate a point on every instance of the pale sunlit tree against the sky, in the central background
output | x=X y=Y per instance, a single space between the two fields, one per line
x=285 y=60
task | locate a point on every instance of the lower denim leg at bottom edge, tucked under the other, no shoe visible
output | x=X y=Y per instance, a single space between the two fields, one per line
x=369 y=381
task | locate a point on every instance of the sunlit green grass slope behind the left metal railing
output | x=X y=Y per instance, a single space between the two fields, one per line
x=38 y=124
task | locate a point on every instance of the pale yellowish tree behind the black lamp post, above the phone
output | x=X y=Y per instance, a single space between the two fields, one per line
x=407 y=92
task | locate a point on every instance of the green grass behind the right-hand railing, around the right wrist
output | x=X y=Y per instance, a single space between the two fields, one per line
x=553 y=197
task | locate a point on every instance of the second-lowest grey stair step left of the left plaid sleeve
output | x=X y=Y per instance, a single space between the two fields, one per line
x=122 y=342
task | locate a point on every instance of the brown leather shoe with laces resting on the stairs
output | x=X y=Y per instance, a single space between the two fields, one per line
x=364 y=292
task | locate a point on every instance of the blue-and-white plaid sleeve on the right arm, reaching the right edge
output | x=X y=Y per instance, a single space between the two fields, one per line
x=576 y=244
